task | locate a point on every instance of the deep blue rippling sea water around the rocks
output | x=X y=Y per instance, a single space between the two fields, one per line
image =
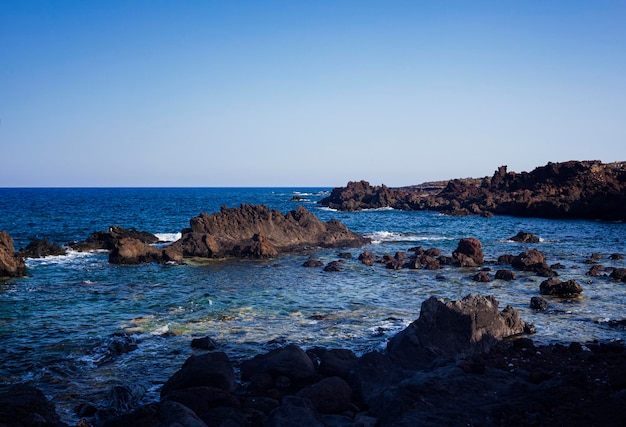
x=59 y=324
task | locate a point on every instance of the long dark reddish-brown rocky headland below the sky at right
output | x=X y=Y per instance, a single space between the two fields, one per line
x=575 y=189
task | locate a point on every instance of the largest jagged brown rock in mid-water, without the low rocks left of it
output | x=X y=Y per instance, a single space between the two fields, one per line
x=256 y=231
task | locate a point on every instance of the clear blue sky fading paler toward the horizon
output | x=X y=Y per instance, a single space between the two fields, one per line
x=305 y=93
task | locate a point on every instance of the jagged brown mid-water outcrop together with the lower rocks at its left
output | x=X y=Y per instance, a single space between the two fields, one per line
x=249 y=231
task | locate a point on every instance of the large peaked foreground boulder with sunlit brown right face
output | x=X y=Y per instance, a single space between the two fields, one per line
x=449 y=329
